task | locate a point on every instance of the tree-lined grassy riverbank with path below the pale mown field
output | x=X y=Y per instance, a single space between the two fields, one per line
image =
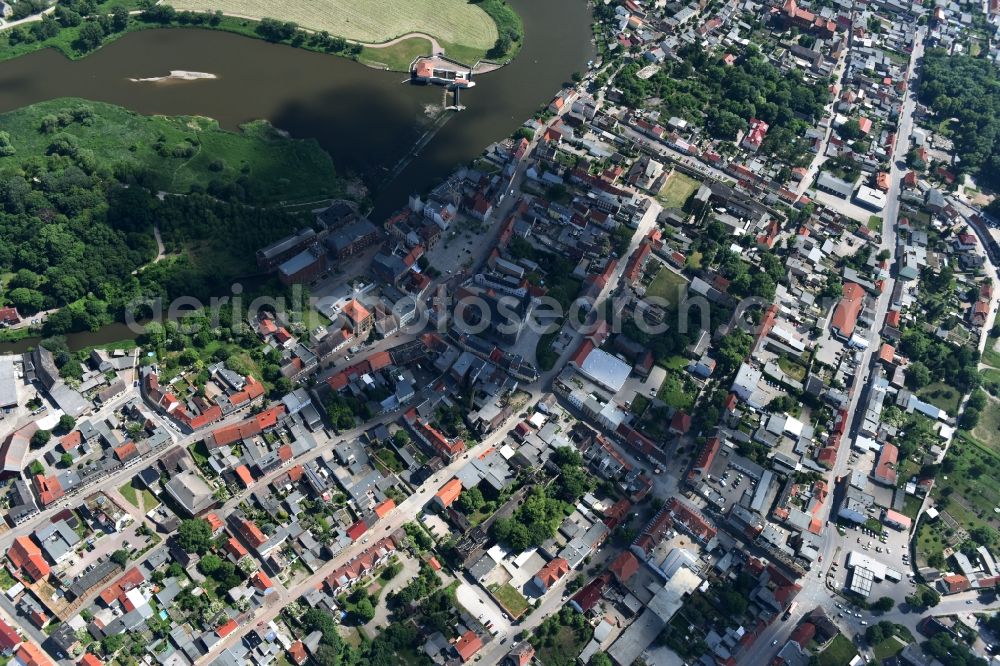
x=76 y=42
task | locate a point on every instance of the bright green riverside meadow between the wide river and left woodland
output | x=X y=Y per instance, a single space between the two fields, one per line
x=181 y=151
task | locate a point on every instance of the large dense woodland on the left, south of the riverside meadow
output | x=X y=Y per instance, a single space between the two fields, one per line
x=74 y=231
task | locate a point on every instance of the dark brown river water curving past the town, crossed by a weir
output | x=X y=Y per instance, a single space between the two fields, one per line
x=367 y=120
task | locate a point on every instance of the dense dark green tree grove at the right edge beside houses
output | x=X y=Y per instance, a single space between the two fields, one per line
x=968 y=89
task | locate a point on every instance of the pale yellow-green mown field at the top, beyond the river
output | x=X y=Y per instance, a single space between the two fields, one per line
x=370 y=21
